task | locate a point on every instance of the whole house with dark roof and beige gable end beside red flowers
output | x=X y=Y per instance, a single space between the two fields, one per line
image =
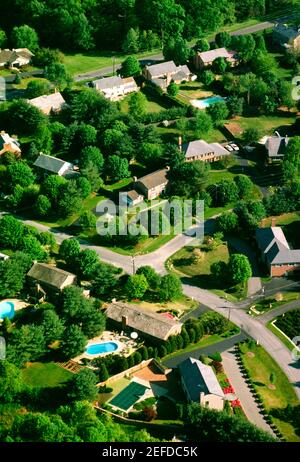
x=200 y=384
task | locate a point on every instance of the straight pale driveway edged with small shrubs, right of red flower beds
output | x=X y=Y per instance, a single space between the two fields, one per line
x=243 y=392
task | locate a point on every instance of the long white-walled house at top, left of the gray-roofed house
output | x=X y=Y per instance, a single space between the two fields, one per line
x=113 y=88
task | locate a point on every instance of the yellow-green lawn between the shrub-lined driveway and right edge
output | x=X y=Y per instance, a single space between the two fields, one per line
x=260 y=366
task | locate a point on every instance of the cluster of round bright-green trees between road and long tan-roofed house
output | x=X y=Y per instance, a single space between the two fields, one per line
x=165 y=288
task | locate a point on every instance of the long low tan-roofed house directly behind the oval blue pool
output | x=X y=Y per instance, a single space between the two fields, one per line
x=142 y=321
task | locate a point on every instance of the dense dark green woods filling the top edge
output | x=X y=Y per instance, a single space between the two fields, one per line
x=121 y=24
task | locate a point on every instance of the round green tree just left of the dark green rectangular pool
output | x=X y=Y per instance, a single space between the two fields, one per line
x=83 y=386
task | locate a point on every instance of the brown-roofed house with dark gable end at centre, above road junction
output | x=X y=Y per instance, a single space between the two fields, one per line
x=153 y=184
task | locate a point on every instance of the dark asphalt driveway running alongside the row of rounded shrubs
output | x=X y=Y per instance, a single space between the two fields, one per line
x=208 y=350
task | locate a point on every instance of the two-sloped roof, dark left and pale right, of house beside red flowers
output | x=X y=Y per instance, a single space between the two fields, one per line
x=199 y=378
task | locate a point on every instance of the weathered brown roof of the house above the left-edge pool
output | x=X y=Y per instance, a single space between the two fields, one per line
x=51 y=276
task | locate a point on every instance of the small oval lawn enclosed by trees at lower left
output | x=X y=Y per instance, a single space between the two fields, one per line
x=46 y=375
